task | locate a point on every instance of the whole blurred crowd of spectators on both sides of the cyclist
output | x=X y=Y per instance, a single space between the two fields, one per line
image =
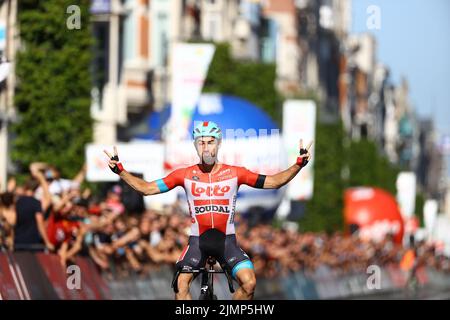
x=54 y=214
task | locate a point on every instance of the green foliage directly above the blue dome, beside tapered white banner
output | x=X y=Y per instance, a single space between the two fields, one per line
x=253 y=81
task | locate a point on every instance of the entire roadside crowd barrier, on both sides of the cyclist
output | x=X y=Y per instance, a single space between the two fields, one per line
x=26 y=275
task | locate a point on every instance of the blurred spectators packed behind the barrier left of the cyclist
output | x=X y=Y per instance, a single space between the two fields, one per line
x=54 y=214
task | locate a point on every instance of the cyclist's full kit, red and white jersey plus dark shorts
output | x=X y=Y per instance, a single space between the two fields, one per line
x=212 y=204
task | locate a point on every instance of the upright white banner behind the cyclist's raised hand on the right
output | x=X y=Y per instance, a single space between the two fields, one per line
x=299 y=122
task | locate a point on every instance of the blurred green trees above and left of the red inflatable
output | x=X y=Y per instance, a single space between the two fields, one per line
x=365 y=166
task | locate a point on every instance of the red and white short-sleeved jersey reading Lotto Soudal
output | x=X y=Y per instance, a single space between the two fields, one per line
x=211 y=197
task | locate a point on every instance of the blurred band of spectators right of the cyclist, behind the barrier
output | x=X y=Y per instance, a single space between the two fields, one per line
x=279 y=251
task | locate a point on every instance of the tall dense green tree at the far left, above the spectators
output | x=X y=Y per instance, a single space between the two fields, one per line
x=54 y=83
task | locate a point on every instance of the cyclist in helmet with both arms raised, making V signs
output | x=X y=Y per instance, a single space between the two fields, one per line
x=211 y=189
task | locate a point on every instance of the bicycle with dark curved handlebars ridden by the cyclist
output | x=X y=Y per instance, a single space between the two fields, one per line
x=207 y=282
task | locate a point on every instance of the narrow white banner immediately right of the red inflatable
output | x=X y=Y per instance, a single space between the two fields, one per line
x=406 y=193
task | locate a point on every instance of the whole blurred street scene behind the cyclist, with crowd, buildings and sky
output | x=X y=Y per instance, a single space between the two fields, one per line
x=369 y=217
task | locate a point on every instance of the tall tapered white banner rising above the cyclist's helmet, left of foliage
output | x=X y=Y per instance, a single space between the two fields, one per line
x=190 y=63
